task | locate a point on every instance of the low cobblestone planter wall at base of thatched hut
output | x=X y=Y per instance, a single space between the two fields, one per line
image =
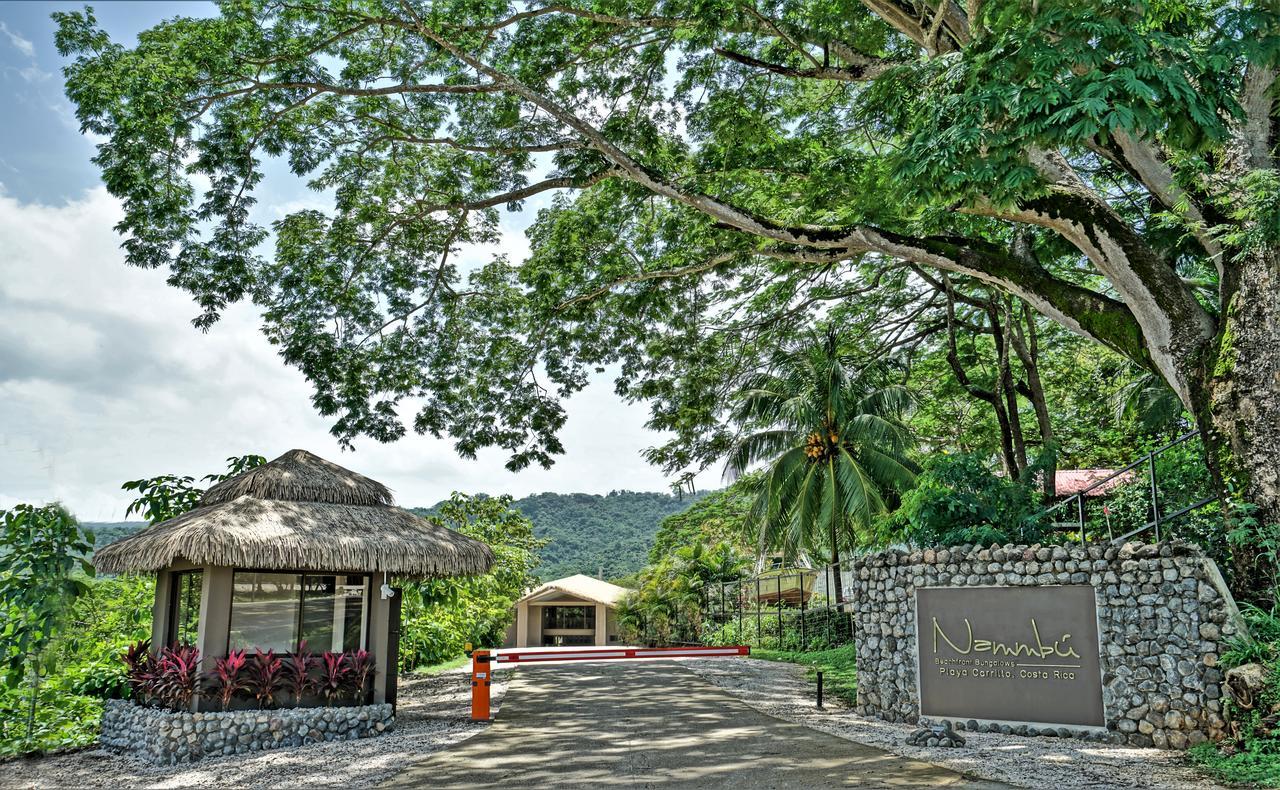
x=168 y=738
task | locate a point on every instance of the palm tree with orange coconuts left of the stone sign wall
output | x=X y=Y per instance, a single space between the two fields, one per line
x=835 y=446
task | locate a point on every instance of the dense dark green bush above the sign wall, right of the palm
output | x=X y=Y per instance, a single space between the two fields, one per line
x=958 y=500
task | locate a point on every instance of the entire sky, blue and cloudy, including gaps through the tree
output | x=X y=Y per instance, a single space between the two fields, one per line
x=103 y=380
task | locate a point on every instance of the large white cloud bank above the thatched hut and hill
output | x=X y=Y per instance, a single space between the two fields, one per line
x=103 y=381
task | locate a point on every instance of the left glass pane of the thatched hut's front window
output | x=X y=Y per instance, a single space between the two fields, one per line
x=266 y=611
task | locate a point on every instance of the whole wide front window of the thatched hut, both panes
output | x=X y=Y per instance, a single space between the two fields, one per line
x=277 y=611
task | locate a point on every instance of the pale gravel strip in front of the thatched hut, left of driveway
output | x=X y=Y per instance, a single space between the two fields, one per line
x=433 y=714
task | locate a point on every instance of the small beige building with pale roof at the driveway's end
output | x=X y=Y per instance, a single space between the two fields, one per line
x=573 y=611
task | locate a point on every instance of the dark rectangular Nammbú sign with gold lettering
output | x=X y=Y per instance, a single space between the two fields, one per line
x=1017 y=655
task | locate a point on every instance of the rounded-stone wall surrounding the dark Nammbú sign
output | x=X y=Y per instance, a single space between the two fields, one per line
x=1163 y=618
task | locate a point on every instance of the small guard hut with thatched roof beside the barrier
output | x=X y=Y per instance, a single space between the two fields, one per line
x=296 y=550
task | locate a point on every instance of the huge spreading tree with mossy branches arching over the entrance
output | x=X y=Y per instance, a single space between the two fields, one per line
x=721 y=168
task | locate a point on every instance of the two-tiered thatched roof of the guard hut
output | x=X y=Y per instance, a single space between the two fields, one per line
x=300 y=513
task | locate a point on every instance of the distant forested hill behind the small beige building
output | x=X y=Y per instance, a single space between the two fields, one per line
x=593 y=535
